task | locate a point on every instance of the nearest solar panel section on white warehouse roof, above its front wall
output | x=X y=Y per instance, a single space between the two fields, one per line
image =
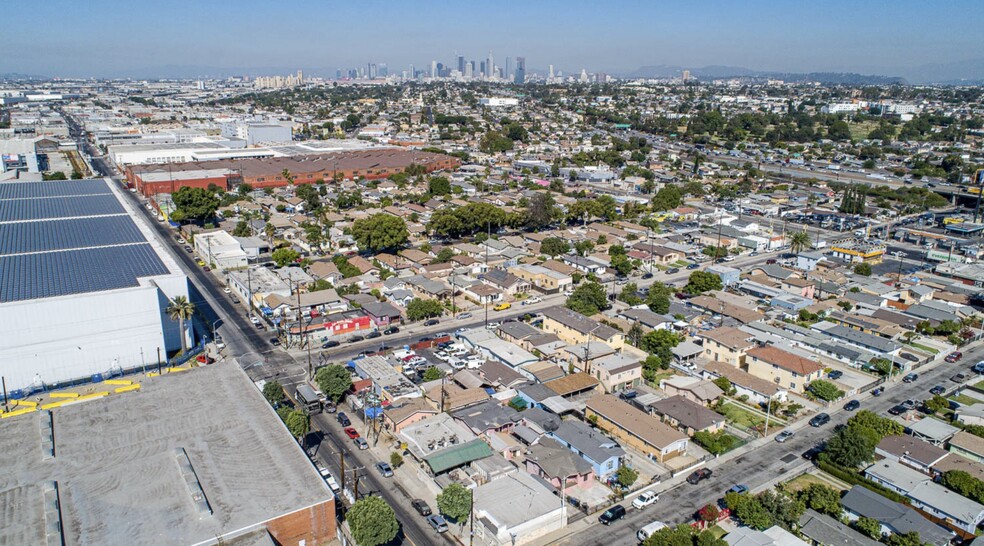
x=50 y=274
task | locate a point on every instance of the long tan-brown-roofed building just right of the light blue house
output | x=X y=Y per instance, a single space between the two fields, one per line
x=636 y=428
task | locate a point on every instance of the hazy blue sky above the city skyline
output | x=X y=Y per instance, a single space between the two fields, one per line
x=106 y=38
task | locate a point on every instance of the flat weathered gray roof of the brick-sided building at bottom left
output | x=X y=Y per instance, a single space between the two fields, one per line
x=119 y=479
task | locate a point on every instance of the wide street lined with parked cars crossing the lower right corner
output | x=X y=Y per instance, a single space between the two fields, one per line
x=759 y=463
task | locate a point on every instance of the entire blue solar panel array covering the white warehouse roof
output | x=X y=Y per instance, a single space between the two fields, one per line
x=62 y=238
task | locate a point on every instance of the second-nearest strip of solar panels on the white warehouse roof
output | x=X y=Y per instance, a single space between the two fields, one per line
x=20 y=237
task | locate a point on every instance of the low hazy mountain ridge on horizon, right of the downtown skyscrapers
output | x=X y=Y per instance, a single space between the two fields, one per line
x=721 y=72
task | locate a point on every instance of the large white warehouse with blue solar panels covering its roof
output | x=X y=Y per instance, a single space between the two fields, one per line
x=83 y=286
